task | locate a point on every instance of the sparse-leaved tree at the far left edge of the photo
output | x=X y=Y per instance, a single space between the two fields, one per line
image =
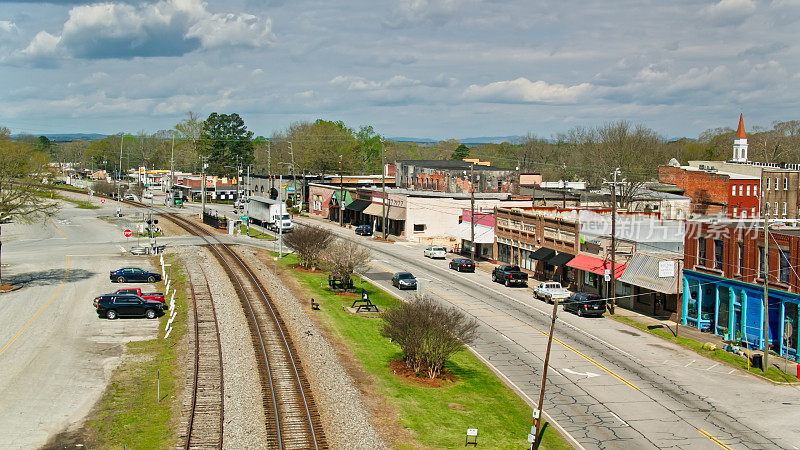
x=22 y=172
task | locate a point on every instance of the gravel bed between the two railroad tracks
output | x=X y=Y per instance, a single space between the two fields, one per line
x=244 y=413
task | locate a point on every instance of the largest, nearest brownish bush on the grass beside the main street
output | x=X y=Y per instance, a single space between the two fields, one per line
x=428 y=333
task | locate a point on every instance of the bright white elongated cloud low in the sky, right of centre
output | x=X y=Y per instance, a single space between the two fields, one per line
x=523 y=90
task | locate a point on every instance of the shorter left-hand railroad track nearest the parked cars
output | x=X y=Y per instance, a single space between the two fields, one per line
x=204 y=427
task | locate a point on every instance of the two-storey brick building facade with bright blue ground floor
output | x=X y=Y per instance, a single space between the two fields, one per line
x=723 y=283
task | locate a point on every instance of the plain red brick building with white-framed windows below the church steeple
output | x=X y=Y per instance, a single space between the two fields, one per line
x=713 y=192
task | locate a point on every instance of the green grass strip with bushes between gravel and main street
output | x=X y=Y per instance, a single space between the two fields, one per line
x=437 y=416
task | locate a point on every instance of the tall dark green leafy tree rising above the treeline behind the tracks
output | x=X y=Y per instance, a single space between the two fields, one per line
x=226 y=141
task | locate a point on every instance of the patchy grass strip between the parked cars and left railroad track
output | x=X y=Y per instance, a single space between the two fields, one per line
x=130 y=414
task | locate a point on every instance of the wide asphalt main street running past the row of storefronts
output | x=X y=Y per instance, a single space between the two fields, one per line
x=610 y=386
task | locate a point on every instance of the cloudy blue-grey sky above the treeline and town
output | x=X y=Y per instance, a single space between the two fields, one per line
x=421 y=68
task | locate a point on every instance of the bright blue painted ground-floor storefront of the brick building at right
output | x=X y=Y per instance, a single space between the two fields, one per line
x=735 y=310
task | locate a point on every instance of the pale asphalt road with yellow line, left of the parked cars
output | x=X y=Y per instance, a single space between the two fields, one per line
x=56 y=355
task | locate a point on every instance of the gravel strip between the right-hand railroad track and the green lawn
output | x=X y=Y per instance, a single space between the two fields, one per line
x=345 y=416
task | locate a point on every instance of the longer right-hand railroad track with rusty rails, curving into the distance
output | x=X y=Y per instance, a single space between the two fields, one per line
x=292 y=419
